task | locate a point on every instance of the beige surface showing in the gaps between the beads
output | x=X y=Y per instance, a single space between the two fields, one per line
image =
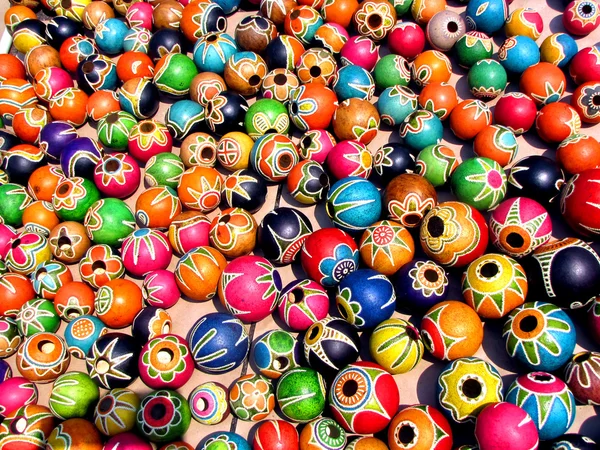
x=419 y=385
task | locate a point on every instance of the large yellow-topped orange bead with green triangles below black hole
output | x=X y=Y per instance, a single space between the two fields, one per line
x=493 y=285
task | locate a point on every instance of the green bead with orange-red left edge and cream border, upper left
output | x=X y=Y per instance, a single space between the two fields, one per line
x=174 y=74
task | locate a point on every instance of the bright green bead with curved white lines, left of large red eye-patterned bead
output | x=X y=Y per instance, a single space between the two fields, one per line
x=301 y=394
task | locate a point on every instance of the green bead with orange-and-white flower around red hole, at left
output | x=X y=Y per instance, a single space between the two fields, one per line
x=76 y=202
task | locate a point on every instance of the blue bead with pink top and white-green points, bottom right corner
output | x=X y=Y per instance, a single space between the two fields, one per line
x=548 y=401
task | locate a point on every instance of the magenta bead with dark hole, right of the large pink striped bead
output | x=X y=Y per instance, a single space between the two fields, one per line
x=302 y=303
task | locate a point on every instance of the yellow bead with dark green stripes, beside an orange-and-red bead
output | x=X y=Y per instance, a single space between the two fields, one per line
x=396 y=345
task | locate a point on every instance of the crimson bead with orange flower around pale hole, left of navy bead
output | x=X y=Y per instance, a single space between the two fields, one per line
x=166 y=362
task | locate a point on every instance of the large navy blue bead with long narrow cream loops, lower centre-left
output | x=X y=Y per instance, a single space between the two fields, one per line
x=227 y=348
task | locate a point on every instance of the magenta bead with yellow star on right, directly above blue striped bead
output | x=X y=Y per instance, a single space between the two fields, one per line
x=349 y=158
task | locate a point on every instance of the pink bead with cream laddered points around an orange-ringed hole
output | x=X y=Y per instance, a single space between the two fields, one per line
x=519 y=225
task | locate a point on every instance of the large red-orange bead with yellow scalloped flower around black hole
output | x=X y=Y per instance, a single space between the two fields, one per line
x=454 y=234
